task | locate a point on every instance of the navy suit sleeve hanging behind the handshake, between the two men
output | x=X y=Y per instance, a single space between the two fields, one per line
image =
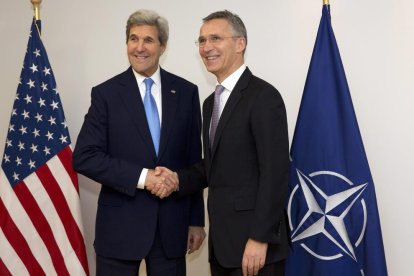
x=197 y=200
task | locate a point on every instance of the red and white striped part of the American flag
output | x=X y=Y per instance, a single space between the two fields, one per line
x=40 y=222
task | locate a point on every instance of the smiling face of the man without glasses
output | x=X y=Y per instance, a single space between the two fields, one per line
x=144 y=49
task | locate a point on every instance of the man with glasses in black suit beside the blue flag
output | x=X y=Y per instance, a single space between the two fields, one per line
x=246 y=157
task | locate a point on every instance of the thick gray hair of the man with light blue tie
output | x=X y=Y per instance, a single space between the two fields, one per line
x=151 y=18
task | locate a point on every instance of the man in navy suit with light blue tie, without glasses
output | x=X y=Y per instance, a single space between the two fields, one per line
x=122 y=140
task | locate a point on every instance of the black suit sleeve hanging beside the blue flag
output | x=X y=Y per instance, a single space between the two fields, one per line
x=269 y=128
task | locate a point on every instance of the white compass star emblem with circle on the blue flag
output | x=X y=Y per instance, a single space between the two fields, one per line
x=327 y=215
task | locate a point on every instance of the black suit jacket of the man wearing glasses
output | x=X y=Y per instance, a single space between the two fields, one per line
x=246 y=172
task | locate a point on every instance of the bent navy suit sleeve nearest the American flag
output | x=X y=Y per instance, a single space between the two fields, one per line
x=91 y=157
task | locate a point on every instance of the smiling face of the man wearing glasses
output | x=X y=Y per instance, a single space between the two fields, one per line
x=220 y=50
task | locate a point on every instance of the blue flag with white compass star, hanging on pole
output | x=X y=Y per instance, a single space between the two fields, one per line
x=333 y=215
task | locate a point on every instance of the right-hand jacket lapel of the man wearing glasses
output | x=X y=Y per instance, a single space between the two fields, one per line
x=231 y=103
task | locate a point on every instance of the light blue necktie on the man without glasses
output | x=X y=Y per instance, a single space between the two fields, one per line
x=152 y=114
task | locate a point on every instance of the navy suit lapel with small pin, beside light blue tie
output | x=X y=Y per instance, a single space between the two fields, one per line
x=170 y=97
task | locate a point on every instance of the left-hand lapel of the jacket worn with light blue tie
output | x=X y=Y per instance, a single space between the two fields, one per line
x=132 y=100
